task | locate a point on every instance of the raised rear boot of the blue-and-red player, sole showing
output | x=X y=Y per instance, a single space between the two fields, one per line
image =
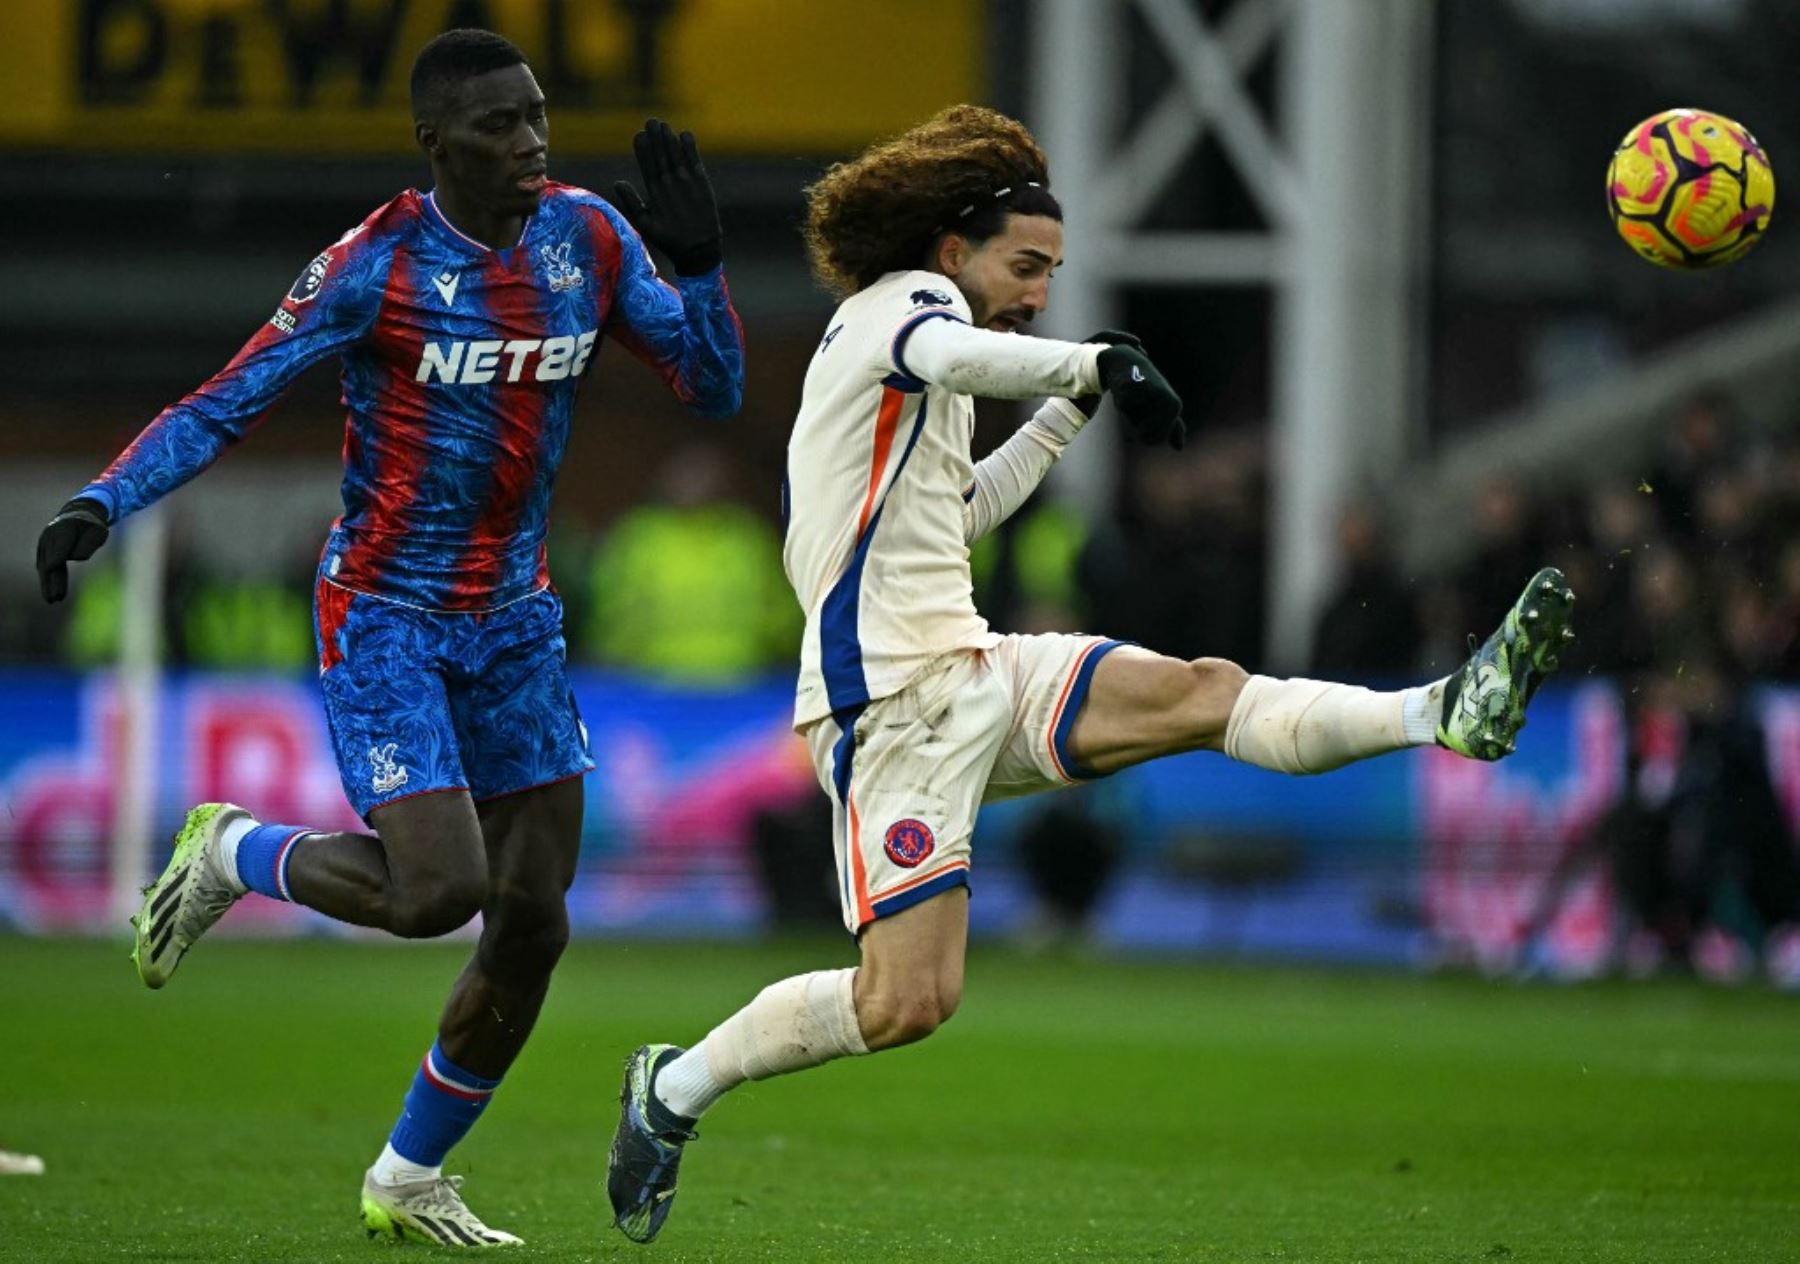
x=193 y=892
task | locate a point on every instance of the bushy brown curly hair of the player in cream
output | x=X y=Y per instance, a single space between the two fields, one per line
x=881 y=212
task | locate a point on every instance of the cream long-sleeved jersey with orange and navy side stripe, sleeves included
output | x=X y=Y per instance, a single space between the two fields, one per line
x=883 y=494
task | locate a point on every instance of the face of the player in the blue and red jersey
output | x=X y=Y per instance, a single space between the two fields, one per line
x=494 y=141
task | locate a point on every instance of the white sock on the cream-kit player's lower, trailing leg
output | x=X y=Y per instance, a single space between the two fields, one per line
x=789 y=1027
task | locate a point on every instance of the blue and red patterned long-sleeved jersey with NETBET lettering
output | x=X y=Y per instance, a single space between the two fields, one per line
x=462 y=366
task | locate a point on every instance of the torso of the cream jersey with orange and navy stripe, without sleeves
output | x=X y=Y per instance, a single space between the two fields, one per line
x=877 y=469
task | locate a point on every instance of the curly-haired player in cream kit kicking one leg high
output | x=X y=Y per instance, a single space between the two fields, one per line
x=942 y=244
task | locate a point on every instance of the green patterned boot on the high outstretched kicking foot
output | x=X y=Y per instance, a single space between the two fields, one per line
x=1486 y=700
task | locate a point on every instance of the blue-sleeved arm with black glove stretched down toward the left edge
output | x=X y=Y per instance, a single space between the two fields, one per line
x=332 y=305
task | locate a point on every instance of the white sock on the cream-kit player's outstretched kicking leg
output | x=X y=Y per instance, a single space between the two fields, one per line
x=1317 y=727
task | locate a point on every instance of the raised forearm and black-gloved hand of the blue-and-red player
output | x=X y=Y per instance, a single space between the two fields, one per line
x=687 y=332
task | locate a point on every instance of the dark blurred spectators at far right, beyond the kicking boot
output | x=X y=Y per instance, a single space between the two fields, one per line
x=1689 y=597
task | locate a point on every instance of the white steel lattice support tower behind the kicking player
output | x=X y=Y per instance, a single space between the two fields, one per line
x=1342 y=194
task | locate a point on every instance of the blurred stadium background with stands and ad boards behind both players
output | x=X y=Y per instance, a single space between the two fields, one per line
x=1365 y=239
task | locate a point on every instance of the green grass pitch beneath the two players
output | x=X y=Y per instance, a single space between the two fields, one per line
x=1074 y=1110
